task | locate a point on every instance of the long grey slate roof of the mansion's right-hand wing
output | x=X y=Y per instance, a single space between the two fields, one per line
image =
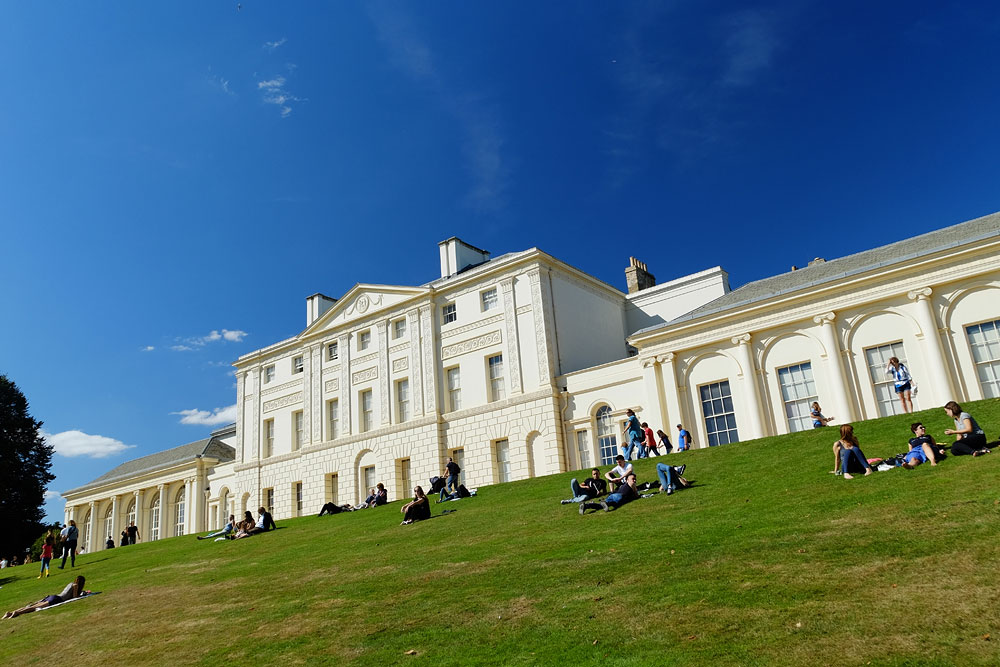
x=808 y=277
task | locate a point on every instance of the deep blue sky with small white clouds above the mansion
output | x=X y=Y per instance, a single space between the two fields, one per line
x=176 y=178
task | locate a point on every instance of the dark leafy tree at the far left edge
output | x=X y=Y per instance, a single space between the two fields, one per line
x=25 y=459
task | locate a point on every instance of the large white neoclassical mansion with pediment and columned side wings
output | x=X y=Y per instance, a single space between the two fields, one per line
x=522 y=365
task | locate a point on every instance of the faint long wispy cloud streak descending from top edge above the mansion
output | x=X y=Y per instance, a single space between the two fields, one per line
x=487 y=160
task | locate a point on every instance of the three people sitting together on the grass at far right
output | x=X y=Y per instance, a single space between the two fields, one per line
x=970 y=440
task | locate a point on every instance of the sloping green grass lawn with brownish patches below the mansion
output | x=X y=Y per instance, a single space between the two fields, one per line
x=769 y=560
